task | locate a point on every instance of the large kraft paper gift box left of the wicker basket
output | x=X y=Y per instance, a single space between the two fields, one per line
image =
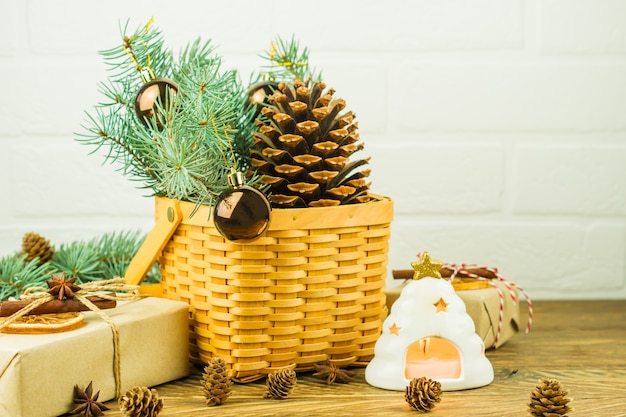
x=38 y=372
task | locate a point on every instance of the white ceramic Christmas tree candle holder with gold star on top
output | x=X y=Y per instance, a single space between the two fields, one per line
x=429 y=334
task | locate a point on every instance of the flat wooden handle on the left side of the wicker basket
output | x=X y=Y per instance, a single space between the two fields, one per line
x=168 y=217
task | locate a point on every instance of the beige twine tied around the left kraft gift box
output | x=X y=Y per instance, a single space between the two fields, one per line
x=112 y=289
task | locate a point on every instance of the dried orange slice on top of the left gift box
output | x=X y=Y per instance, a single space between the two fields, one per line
x=45 y=323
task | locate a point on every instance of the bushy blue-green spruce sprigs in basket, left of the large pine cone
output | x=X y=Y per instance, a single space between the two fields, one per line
x=195 y=137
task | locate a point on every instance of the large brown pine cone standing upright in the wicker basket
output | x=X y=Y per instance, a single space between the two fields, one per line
x=303 y=147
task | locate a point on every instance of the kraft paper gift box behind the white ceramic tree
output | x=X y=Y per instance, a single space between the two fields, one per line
x=483 y=306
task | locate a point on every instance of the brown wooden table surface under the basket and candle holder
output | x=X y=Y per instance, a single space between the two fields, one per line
x=580 y=343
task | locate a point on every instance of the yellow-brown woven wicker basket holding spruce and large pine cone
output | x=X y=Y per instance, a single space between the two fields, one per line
x=311 y=289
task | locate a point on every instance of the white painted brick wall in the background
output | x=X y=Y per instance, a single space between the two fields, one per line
x=498 y=126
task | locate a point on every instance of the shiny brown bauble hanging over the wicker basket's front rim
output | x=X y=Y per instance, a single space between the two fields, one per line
x=242 y=213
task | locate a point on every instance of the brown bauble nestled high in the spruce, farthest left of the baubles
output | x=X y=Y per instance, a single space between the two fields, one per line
x=154 y=94
